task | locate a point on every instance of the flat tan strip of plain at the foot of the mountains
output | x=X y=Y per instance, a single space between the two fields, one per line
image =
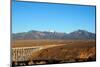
x=30 y=43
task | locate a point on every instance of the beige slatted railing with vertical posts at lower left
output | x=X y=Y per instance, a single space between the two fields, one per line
x=22 y=54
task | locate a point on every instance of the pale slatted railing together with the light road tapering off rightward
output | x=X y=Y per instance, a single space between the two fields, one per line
x=25 y=53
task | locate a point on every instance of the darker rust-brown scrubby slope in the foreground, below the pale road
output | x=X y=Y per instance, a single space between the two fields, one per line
x=72 y=50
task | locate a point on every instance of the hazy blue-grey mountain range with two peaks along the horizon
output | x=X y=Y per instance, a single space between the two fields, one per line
x=33 y=34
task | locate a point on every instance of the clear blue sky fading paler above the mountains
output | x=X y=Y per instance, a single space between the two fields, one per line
x=28 y=16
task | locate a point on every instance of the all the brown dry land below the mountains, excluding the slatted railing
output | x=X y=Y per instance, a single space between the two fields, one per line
x=58 y=51
